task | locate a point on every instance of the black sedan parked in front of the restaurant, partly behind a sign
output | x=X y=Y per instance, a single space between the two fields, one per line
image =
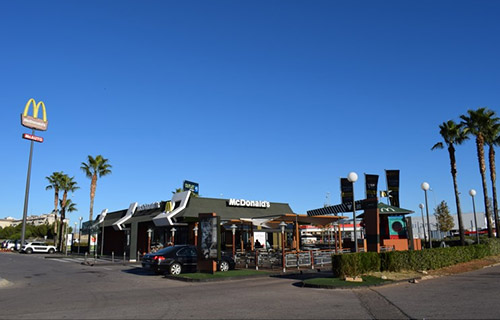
x=179 y=258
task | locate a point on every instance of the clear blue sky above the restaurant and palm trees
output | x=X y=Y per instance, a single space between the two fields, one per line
x=261 y=100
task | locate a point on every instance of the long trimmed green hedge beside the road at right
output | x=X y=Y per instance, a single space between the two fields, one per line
x=354 y=264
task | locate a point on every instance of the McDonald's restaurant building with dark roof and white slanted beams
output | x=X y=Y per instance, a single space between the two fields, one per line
x=136 y=229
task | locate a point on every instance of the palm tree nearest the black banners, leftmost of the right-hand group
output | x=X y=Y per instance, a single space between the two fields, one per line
x=453 y=134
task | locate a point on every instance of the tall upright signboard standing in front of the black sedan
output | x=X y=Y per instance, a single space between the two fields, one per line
x=209 y=230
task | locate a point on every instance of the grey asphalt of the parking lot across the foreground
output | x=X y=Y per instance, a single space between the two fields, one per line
x=61 y=287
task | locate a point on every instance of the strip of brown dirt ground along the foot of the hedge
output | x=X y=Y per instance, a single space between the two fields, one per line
x=458 y=268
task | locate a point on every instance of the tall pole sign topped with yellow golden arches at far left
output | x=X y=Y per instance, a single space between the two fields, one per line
x=34 y=123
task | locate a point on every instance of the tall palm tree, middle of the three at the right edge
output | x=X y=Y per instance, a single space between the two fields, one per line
x=476 y=123
